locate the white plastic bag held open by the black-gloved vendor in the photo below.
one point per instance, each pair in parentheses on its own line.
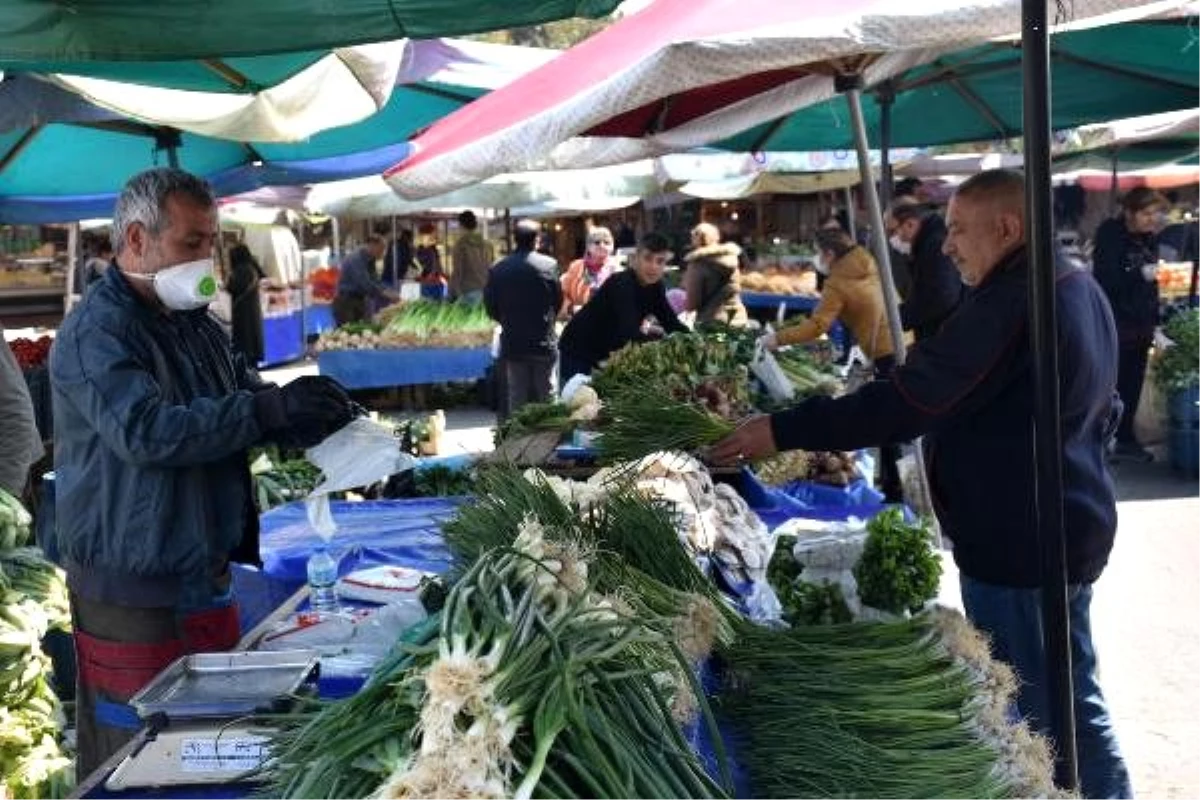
(361,454)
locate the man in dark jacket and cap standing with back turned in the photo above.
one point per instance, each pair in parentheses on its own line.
(524,296)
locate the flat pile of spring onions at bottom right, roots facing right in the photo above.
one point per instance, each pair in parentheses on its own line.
(897,711)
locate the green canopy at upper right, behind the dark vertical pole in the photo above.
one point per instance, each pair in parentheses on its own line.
(975,95)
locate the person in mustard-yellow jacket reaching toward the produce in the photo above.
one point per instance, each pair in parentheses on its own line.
(853,294)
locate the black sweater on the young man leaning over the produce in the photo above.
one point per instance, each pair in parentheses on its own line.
(614,317)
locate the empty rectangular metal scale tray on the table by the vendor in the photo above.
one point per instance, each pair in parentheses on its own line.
(225,684)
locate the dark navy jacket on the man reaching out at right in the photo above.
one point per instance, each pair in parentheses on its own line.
(969,389)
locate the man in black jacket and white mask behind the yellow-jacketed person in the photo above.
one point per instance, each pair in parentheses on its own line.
(937,288)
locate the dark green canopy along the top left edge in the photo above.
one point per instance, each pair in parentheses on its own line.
(176,31)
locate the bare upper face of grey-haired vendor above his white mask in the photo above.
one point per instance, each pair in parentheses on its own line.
(190,236)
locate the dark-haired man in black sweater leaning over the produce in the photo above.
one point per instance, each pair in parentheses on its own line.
(632,306)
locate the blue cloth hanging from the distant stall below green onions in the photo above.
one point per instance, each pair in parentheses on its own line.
(404,368)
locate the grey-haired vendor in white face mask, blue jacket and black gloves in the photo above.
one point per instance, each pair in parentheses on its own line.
(154,416)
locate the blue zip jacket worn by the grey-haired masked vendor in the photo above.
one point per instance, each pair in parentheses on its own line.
(153,419)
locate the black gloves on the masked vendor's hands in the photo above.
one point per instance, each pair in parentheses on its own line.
(305,411)
